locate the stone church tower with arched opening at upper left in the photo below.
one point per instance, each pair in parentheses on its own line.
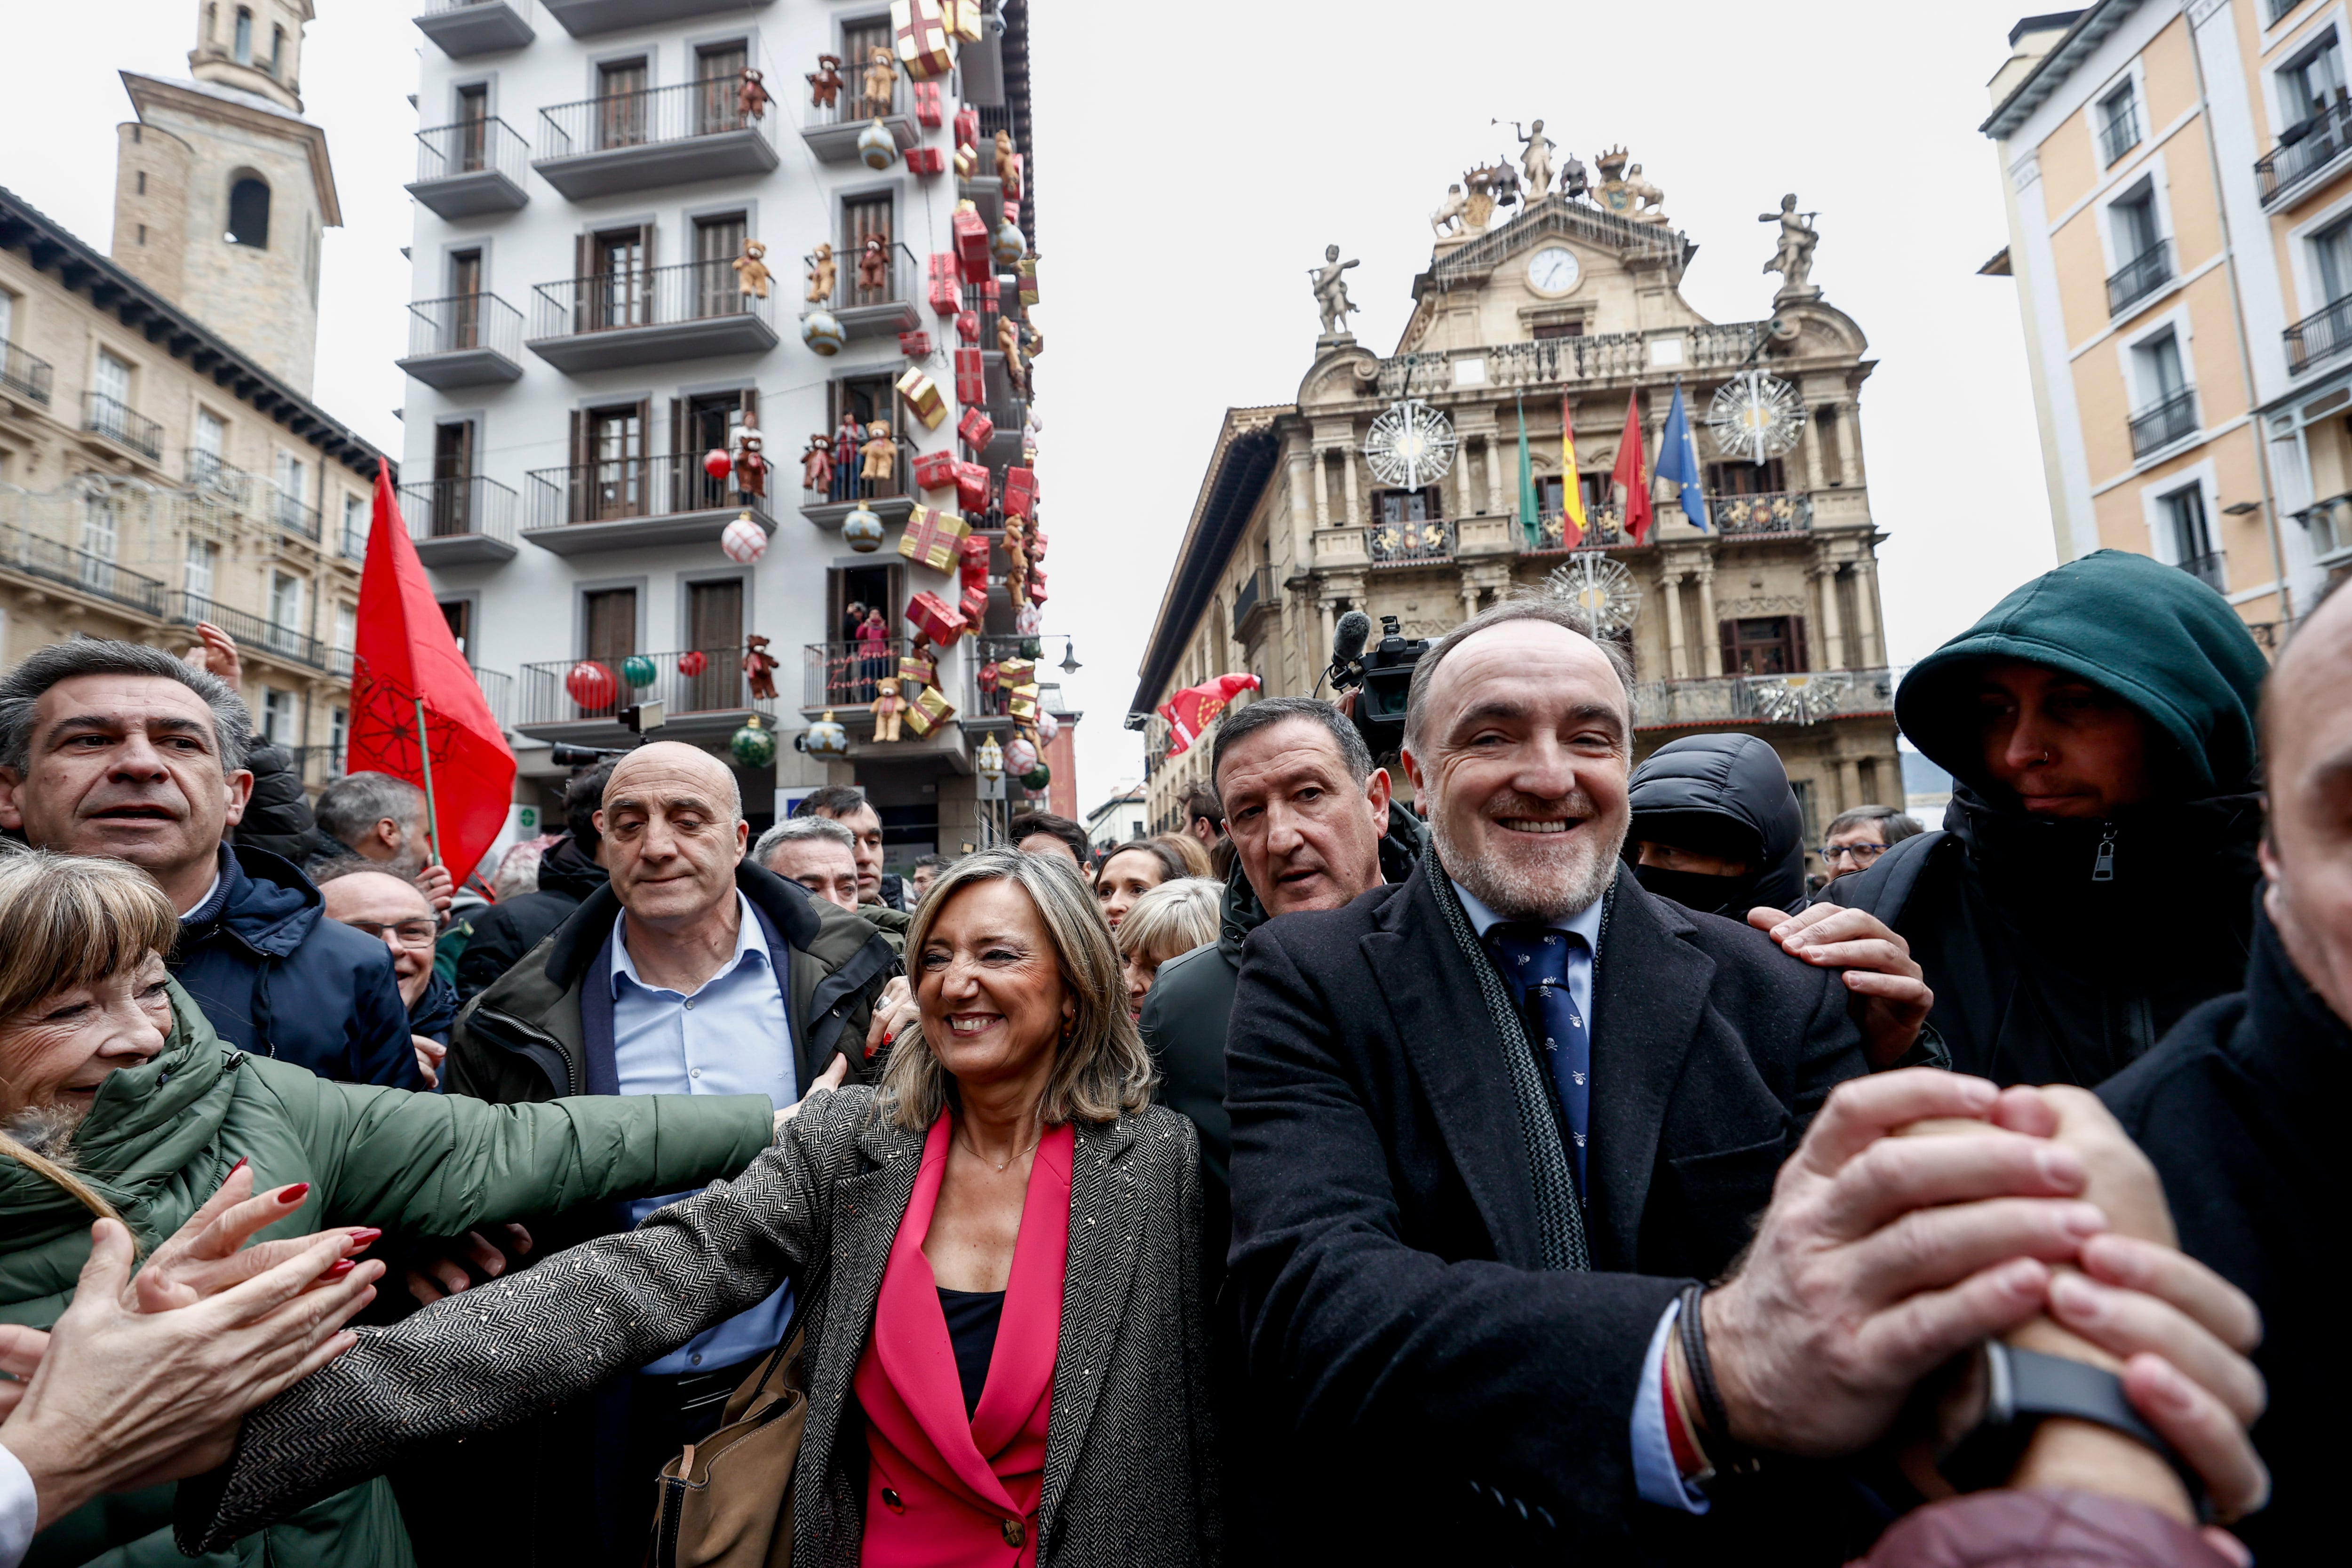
(222,189)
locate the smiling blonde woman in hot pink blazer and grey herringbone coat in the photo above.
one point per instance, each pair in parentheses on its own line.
(996,1266)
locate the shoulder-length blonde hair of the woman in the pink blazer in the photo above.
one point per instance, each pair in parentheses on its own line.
(1102,1068)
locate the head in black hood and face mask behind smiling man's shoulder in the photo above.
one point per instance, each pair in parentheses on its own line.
(1716,826)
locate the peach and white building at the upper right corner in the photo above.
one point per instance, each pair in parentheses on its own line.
(2179,187)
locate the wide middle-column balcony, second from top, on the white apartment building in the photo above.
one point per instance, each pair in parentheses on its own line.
(655,138)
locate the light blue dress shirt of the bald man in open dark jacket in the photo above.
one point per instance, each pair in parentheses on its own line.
(730,1038)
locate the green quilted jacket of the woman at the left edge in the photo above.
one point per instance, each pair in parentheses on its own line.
(415,1165)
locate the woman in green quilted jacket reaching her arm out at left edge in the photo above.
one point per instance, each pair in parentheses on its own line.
(116,1094)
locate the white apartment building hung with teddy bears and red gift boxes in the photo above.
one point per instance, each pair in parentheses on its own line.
(589,175)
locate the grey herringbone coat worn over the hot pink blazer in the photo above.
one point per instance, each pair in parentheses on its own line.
(1130,1470)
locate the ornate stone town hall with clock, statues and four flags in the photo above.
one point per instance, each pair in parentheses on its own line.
(1765,622)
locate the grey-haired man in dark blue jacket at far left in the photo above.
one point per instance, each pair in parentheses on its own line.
(112,749)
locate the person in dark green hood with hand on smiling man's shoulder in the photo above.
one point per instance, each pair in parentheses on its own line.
(2097,869)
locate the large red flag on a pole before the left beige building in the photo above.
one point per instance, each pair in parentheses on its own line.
(417,711)
